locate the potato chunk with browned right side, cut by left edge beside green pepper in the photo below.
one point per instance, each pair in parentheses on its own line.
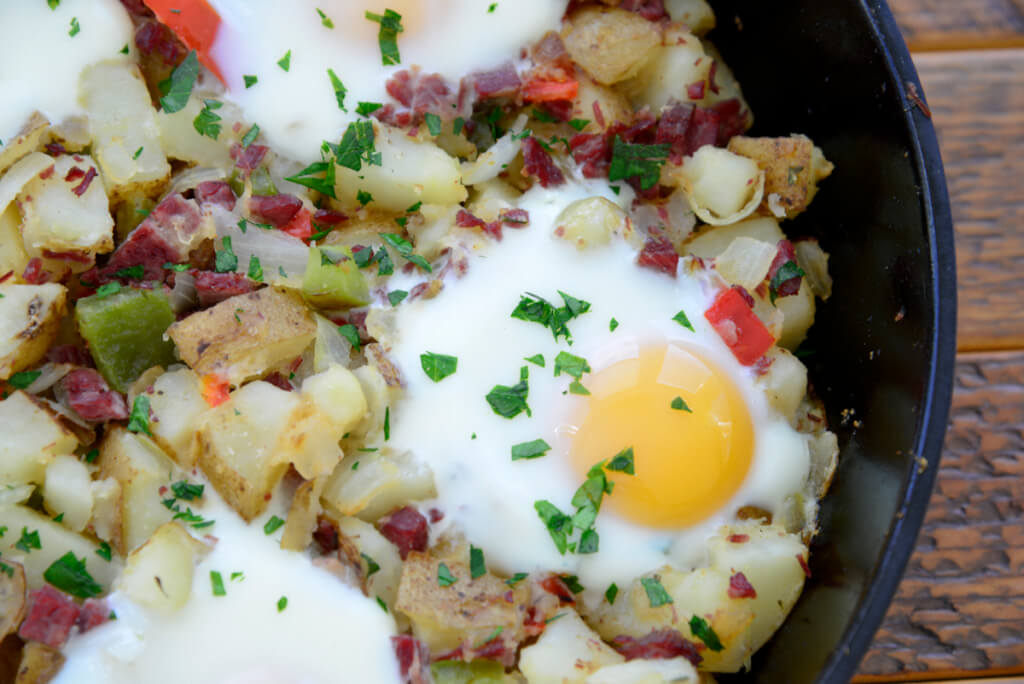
(30,319)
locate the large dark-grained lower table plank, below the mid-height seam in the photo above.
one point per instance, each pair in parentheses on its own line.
(960,610)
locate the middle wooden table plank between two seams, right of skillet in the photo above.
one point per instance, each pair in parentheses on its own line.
(977,101)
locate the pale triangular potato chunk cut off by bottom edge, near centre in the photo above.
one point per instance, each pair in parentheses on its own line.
(567,653)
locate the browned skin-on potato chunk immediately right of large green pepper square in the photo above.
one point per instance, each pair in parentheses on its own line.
(243,337)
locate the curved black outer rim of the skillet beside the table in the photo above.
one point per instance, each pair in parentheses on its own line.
(843,664)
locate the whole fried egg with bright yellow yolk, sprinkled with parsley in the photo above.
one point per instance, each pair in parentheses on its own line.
(695,467)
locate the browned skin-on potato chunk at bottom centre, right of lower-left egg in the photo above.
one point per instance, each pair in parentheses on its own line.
(466,613)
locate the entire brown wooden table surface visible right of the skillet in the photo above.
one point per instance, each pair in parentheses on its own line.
(960,611)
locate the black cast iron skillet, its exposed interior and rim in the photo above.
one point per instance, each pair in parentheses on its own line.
(885,343)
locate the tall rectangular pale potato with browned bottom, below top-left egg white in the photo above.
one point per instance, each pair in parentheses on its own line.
(123,125)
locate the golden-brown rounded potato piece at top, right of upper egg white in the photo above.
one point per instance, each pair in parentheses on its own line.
(611,44)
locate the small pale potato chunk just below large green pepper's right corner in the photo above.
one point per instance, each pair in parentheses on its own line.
(177,406)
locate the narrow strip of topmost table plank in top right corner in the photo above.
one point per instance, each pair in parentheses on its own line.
(949,25)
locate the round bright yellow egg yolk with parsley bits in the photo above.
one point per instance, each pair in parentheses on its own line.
(690,460)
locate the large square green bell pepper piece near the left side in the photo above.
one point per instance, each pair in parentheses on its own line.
(125,333)
